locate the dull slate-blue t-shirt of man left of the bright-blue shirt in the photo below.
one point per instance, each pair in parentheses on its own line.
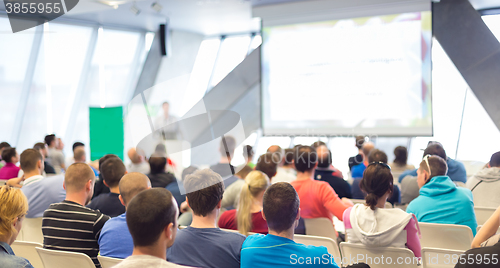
(206,247)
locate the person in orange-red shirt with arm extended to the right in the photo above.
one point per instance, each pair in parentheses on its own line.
(319,200)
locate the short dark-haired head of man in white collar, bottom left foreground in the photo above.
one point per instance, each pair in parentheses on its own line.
(148,213)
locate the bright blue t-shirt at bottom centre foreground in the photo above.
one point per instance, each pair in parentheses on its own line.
(274,251)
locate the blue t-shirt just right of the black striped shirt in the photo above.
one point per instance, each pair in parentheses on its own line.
(115,240)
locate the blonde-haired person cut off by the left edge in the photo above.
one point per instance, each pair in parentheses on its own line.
(13,209)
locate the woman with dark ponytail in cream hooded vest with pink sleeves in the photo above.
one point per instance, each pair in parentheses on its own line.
(374,225)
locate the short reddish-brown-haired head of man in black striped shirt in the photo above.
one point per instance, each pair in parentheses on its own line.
(77,176)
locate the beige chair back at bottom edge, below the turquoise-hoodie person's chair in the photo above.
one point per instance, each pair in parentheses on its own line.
(440,258)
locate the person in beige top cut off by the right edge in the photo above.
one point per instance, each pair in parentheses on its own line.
(485,184)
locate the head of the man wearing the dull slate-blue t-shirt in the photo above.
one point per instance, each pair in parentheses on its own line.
(204,189)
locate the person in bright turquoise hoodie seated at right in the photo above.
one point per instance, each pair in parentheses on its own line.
(440,200)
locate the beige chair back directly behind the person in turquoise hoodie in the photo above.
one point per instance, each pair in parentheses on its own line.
(445,236)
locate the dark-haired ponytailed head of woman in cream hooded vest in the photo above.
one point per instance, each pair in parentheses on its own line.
(376,182)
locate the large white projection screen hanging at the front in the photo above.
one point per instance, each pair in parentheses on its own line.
(359,75)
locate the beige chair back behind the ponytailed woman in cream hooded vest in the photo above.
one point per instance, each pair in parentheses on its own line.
(378,257)
